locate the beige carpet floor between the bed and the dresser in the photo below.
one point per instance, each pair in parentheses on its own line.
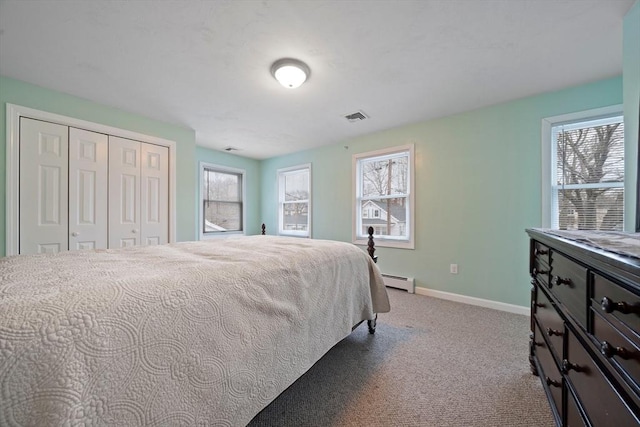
(431,363)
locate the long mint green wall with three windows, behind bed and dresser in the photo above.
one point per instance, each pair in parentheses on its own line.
(478,186)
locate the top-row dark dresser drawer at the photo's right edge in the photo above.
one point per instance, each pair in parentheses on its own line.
(616,302)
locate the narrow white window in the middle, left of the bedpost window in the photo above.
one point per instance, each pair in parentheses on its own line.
(294,195)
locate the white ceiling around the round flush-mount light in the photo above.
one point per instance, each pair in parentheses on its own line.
(205,65)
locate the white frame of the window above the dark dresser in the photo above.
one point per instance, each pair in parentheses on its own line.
(549,189)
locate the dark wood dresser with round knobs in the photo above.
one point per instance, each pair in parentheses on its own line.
(585,330)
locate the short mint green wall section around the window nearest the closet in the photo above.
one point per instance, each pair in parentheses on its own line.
(252,182)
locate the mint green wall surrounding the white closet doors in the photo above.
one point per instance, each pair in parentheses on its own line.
(27,95)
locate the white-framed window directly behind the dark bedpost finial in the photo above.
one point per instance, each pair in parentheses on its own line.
(384,197)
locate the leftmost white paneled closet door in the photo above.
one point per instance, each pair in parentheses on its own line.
(43,187)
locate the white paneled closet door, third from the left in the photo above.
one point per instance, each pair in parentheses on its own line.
(124,192)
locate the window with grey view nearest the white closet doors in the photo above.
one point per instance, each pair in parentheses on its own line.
(222,207)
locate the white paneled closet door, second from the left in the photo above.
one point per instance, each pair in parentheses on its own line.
(87,189)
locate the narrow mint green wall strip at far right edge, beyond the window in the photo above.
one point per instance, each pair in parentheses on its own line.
(631,94)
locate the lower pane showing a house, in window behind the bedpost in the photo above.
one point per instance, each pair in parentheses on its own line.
(388,217)
